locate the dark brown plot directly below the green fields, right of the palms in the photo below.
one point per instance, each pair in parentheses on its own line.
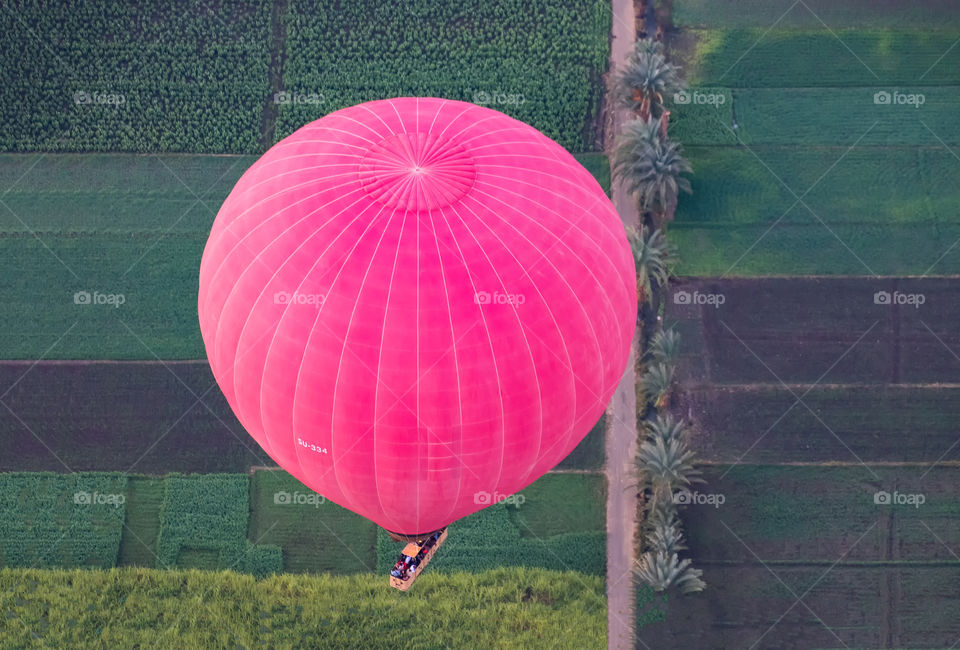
(831,330)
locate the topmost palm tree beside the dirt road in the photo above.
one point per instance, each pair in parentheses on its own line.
(645,79)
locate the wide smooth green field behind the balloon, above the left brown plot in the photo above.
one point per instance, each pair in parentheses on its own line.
(119,225)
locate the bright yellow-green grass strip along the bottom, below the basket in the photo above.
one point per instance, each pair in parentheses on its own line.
(506,608)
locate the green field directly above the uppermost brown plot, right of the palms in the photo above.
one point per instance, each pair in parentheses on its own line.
(741,220)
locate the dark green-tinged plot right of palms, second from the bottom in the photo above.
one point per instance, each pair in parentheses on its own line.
(793,514)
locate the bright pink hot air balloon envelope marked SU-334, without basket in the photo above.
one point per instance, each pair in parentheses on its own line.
(416,305)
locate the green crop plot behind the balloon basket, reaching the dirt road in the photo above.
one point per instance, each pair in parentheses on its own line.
(504,535)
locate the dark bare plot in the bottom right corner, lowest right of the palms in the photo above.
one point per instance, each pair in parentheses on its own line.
(858,607)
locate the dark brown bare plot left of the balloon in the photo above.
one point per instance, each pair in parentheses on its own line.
(132,417)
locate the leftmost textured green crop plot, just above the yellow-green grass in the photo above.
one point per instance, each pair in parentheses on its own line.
(61,520)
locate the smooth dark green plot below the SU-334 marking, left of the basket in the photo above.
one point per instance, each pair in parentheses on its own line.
(315,535)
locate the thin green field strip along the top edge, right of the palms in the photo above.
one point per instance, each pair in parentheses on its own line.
(816,13)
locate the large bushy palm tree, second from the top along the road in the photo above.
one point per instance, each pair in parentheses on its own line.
(653,171)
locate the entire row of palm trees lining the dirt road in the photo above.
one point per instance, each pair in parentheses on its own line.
(652,167)
